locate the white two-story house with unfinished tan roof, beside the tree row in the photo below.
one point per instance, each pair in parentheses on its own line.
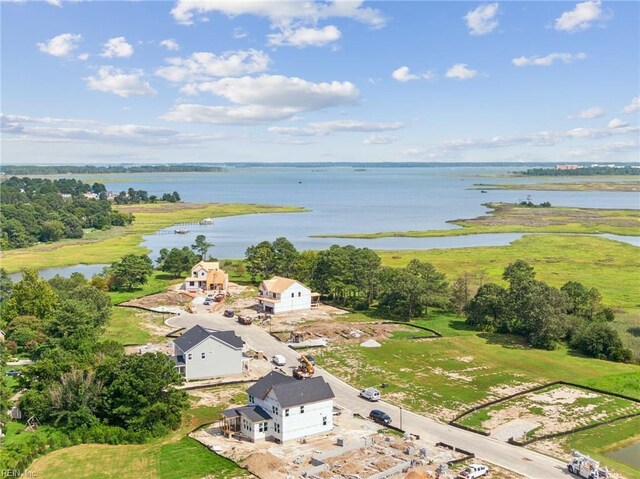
(283,295)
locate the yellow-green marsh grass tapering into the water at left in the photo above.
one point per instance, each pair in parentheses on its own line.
(109,246)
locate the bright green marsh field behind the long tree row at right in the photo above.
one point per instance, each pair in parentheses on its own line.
(608,265)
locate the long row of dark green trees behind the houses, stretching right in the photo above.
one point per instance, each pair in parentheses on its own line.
(354,277)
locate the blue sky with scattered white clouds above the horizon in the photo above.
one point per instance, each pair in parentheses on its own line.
(224,81)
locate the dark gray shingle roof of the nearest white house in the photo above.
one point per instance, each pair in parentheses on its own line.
(290,391)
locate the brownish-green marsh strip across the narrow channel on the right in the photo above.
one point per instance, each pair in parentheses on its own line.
(510,218)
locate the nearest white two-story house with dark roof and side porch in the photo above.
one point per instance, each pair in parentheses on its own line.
(282,408)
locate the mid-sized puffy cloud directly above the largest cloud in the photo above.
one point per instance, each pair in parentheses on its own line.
(204,65)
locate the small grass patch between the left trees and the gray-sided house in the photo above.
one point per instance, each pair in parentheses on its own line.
(127,326)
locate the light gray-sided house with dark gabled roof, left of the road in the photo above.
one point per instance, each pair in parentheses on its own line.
(202,353)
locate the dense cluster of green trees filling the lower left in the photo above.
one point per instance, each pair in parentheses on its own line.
(83,387)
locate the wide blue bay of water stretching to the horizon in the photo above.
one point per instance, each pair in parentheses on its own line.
(349,200)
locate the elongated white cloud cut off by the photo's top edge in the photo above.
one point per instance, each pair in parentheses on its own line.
(280,13)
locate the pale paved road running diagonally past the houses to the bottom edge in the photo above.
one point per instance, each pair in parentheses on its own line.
(522,461)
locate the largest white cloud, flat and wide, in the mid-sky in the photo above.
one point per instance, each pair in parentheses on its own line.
(262,99)
